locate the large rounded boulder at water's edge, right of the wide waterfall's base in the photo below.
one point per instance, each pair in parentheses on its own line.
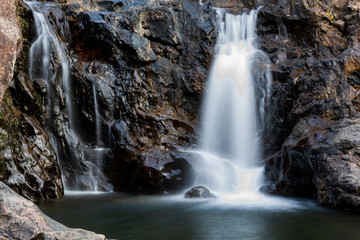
(320,158)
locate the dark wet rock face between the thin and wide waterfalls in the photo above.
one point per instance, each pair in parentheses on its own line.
(149,65)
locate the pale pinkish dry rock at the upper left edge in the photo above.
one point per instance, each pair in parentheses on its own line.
(10,43)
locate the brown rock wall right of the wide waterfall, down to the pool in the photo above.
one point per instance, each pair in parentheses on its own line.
(311,148)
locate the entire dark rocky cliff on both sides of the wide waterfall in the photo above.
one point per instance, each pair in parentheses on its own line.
(138,71)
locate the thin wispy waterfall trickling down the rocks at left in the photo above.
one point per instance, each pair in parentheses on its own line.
(48,47)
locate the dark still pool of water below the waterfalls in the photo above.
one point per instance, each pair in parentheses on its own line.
(120,216)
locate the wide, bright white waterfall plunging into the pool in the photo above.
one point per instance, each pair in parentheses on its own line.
(233,114)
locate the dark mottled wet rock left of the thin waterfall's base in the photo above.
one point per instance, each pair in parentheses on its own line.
(28,163)
